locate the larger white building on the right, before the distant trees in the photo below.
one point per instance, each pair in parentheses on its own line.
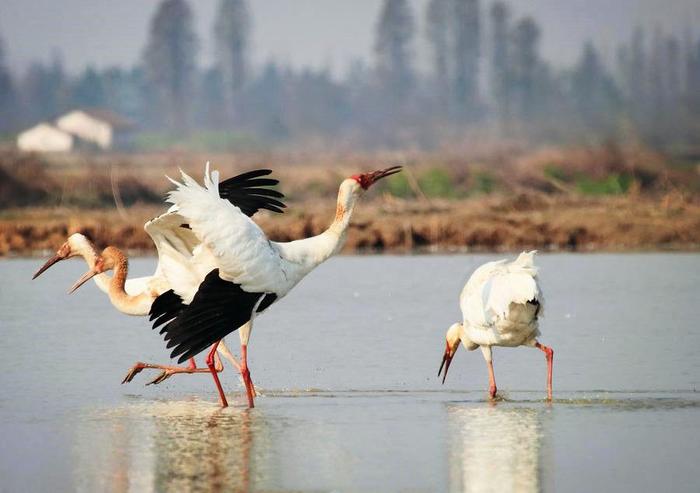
(100,127)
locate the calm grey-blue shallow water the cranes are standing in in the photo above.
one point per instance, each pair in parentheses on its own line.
(347,367)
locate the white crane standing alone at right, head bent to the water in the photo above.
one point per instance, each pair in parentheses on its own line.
(500,303)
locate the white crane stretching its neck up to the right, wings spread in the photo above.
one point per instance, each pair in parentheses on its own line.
(237,272)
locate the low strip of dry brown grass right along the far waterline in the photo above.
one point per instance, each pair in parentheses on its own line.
(483,224)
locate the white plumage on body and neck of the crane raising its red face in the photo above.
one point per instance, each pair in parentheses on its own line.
(233,243)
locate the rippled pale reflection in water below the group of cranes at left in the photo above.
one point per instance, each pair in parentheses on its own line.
(177,446)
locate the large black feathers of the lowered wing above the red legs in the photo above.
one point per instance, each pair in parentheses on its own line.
(219,307)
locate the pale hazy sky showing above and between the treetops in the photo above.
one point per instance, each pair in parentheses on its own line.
(315,32)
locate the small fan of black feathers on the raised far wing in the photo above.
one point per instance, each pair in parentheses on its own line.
(246,191)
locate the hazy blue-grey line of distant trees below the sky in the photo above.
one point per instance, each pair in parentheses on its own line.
(487,77)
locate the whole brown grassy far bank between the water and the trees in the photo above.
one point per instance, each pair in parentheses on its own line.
(529,209)
